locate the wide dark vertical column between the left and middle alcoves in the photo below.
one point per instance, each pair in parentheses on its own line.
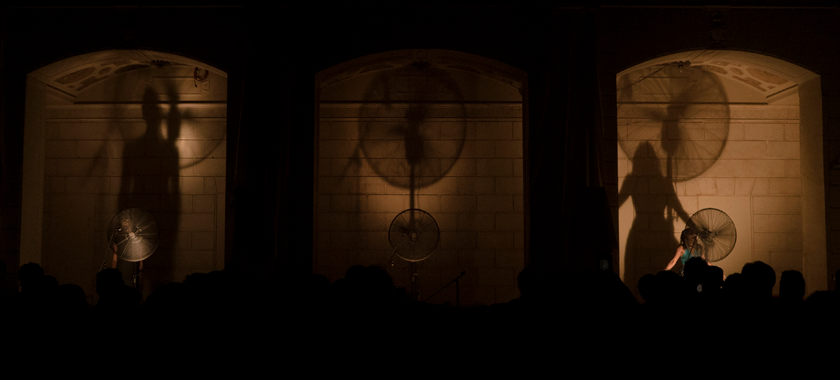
(271,169)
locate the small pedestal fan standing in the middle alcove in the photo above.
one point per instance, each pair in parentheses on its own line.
(414,234)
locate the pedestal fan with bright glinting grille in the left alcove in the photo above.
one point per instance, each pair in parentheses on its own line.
(132,237)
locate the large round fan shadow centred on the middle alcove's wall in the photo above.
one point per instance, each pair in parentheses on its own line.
(413,126)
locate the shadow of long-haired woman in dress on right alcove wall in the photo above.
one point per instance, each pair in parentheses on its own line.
(651,241)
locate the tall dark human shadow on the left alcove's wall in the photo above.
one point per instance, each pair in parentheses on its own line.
(151,181)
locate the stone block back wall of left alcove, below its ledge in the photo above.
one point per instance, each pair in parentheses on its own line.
(102,158)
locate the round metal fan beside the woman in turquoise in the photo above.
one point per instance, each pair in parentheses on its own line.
(715,233)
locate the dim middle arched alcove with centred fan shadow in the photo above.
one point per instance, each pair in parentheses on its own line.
(434,130)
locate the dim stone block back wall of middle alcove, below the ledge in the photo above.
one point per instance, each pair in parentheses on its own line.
(477,202)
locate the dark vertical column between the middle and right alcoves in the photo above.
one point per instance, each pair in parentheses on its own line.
(567,217)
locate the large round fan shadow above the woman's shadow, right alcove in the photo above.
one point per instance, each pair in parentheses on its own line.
(681,111)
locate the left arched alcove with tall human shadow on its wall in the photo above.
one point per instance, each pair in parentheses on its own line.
(119,129)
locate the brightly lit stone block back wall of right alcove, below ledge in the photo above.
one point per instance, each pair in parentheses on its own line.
(756,180)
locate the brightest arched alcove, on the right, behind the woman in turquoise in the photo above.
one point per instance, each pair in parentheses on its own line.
(732,130)
